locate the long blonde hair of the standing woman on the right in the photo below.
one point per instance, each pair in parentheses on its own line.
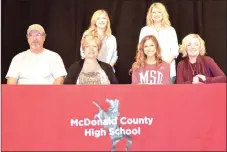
(162,8)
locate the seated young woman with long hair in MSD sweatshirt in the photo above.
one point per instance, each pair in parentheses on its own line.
(149,68)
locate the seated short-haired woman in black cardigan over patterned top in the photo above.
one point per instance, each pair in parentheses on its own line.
(90,70)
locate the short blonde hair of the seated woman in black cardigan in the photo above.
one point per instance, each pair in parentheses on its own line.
(86,39)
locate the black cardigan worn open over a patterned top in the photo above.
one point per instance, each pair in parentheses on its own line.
(76,67)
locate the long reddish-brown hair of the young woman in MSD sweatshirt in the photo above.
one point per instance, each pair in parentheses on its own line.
(141,56)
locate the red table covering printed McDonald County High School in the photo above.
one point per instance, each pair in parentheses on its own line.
(142,117)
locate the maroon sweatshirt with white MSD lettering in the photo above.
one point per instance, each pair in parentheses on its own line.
(152,74)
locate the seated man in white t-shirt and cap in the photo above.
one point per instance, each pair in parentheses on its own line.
(37,65)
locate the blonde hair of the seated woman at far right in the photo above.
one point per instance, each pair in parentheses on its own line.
(186,40)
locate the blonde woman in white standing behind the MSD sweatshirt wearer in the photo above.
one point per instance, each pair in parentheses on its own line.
(158,24)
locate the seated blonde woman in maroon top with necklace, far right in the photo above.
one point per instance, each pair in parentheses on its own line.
(197,68)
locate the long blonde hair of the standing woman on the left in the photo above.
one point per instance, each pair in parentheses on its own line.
(92,29)
